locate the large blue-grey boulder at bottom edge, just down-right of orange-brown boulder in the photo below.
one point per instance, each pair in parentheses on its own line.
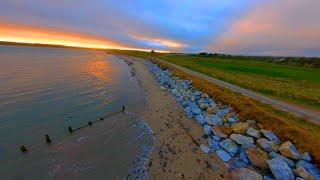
(280,169)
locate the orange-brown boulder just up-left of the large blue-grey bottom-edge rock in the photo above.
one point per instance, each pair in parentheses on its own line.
(257,157)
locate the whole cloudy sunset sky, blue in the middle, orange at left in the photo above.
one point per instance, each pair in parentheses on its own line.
(247,27)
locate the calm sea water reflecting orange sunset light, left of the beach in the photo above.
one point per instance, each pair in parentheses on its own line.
(45,90)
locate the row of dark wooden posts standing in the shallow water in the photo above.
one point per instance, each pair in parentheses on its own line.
(48,140)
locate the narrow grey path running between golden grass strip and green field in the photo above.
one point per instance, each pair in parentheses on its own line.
(312,115)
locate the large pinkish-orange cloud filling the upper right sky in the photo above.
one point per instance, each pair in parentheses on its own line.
(274,27)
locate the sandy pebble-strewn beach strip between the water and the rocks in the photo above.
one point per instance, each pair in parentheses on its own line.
(176,154)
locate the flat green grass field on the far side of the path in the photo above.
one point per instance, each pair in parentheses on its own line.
(291,83)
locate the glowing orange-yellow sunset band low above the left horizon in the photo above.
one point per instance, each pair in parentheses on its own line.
(28,34)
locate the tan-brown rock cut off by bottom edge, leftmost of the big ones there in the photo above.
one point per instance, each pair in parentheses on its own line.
(245,174)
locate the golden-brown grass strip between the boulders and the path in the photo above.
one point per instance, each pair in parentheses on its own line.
(305,135)
